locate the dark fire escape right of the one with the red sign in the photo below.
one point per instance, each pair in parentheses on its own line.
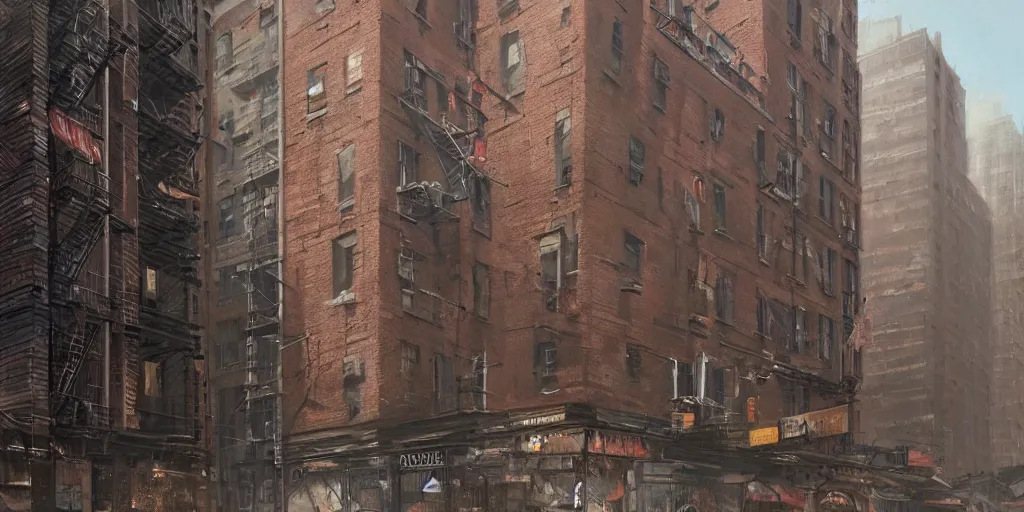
(168,142)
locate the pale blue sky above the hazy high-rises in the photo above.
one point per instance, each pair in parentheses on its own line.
(983,39)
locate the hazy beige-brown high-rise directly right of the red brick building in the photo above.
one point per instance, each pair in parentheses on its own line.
(927,259)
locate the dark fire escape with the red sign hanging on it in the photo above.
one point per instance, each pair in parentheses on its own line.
(82,44)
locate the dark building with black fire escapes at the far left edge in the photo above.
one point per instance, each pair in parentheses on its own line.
(102,380)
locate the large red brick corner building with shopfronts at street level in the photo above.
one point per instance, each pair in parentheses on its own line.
(575,216)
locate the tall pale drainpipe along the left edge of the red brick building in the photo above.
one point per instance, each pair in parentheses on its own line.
(279,462)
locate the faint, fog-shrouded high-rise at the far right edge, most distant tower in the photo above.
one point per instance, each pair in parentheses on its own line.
(998,170)
